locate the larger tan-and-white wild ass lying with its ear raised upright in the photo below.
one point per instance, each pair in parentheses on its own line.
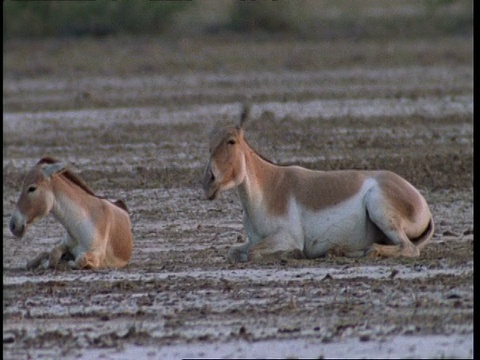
(296,212)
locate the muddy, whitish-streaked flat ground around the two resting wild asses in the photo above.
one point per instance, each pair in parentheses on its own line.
(136,129)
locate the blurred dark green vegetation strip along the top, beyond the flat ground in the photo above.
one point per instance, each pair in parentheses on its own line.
(306,19)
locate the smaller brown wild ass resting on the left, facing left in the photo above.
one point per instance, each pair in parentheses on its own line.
(98,231)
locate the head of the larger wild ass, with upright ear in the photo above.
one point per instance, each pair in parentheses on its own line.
(226,165)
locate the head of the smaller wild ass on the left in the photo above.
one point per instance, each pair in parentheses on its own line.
(36,197)
